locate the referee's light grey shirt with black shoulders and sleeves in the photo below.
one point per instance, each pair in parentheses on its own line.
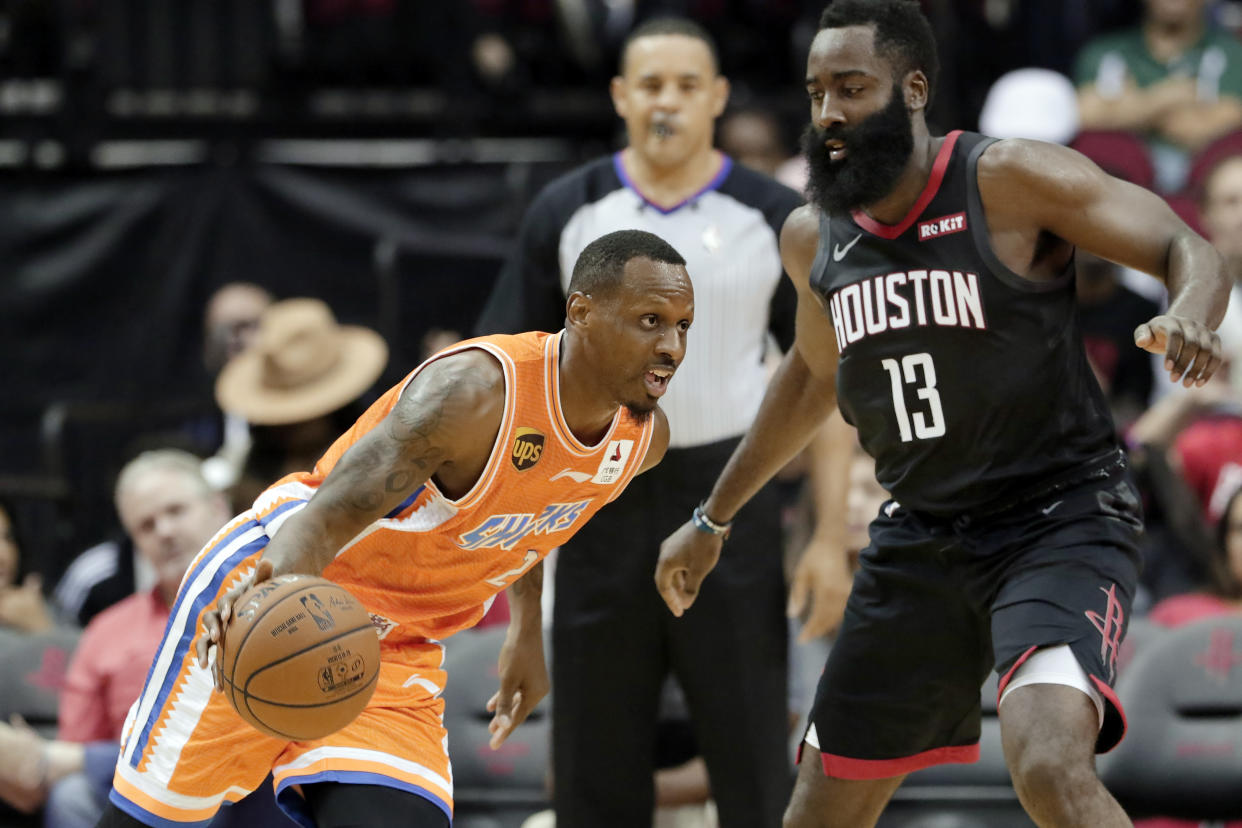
(728,234)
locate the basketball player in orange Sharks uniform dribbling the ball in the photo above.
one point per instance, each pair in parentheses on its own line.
(454,486)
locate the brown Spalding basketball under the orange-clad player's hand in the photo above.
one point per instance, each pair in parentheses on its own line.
(300,659)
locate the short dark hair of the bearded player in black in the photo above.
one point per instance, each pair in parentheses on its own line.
(904,35)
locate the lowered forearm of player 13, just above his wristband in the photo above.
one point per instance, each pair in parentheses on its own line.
(793,410)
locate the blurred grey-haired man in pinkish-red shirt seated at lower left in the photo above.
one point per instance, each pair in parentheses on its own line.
(170,512)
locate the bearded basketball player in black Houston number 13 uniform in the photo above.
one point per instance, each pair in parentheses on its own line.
(937,308)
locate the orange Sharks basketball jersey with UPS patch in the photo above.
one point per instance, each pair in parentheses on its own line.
(432,568)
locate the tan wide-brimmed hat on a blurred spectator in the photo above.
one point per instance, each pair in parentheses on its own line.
(302,366)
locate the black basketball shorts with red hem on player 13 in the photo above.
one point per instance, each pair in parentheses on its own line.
(941,601)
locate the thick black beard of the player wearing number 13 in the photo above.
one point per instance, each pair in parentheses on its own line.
(876,155)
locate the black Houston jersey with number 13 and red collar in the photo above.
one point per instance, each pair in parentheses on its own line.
(968,384)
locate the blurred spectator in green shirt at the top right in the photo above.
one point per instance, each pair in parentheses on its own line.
(1176,79)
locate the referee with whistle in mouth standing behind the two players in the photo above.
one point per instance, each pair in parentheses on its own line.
(614,642)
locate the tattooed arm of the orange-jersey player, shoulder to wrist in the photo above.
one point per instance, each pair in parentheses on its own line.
(445,425)
